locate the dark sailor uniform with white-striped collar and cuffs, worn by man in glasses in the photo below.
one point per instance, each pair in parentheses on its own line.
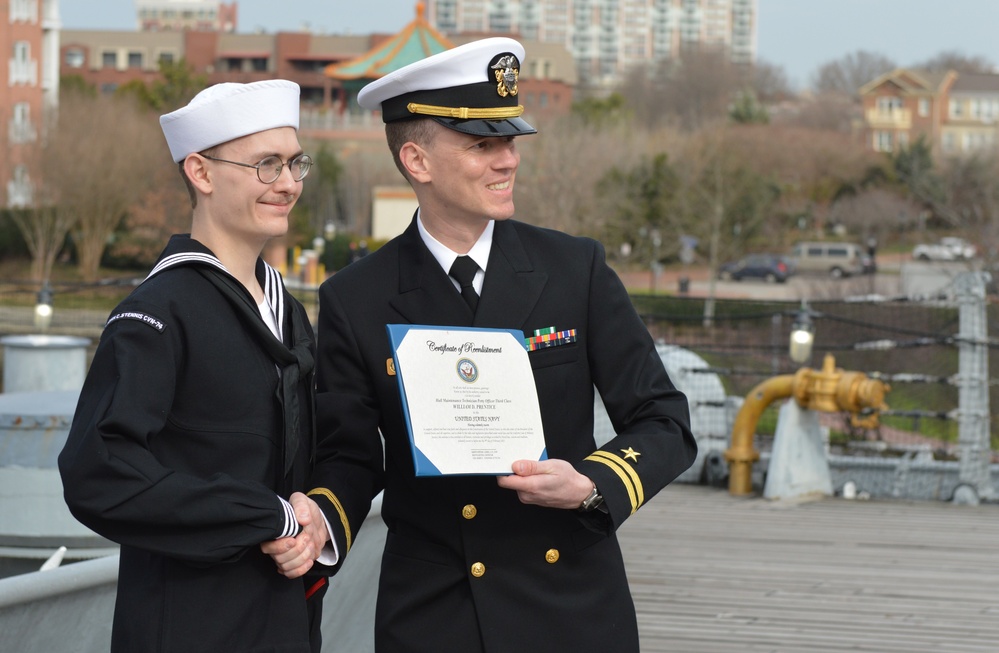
(184,437)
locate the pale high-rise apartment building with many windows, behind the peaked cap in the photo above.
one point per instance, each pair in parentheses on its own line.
(607,37)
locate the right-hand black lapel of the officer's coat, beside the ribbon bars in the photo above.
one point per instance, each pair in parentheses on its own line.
(512,286)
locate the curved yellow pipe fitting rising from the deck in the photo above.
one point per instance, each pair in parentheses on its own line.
(827,390)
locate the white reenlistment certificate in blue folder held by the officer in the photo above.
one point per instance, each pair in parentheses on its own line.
(469,398)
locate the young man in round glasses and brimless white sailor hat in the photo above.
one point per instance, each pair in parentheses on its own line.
(192,441)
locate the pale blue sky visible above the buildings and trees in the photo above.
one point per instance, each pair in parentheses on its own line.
(796,35)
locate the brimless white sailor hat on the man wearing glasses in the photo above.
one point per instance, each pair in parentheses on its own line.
(227,111)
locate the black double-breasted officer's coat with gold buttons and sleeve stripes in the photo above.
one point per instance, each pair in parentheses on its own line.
(467,567)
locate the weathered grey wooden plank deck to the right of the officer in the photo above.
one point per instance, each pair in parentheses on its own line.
(712,573)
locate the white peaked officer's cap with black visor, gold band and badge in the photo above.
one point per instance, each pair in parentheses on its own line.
(472,88)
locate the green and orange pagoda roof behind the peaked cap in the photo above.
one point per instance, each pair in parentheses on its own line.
(417,40)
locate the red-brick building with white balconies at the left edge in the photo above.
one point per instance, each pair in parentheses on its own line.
(29,87)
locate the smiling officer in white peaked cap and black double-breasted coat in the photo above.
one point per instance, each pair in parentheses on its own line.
(528,561)
